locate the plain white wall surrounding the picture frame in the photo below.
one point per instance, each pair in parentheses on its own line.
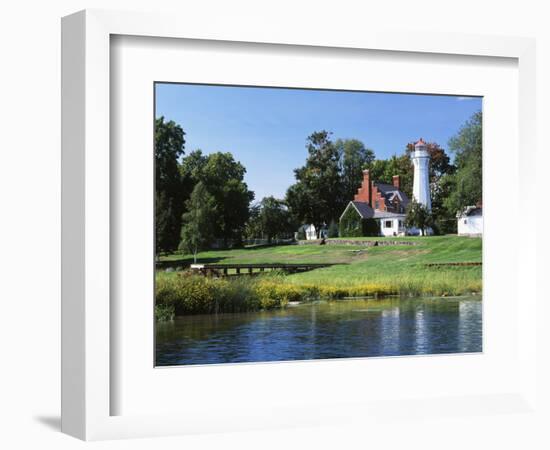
(30,187)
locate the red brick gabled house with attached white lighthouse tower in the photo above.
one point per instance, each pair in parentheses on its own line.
(386,203)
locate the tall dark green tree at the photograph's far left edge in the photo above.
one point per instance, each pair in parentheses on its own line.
(169,190)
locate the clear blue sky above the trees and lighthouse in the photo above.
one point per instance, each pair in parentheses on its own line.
(266,128)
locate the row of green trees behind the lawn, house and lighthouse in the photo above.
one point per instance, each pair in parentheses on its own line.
(199,198)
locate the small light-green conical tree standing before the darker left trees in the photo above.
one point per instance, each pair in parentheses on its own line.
(197,231)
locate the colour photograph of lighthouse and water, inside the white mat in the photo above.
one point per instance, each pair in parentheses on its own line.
(305,224)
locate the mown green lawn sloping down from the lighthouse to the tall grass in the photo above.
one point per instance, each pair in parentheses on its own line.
(399,266)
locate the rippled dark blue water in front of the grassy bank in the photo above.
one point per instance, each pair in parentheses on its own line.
(341,329)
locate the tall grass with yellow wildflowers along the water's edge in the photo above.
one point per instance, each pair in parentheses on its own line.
(194,294)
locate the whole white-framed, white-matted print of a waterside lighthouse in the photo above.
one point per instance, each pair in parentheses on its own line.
(248,213)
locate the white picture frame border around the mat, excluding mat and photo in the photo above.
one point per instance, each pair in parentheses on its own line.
(87,326)
